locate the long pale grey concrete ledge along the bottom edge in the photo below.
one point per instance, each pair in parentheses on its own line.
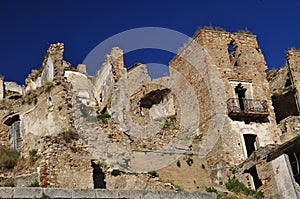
(28,192)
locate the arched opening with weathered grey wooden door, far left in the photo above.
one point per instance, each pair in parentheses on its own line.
(14,131)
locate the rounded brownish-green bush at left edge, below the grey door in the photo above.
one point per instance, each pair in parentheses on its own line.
(8,157)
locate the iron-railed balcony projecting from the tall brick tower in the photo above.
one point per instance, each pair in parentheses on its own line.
(247,108)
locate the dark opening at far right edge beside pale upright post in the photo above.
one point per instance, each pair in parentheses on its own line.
(294,157)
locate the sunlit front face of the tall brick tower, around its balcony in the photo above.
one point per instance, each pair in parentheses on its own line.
(248,69)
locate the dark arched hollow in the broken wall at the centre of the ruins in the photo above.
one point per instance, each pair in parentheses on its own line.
(154,97)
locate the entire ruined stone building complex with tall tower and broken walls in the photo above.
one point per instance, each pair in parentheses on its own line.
(216,115)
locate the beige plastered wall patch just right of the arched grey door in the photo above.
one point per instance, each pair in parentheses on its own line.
(49,116)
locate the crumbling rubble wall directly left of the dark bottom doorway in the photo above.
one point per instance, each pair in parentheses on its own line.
(65,163)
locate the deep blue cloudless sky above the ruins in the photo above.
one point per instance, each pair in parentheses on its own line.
(28,27)
